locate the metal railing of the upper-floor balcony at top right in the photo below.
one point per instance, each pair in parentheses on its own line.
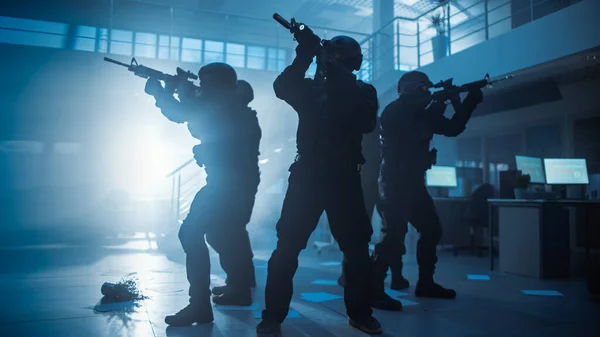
(407,43)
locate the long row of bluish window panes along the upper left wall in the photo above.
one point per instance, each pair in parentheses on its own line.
(140,44)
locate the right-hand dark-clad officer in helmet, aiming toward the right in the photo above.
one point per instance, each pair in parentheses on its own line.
(407,127)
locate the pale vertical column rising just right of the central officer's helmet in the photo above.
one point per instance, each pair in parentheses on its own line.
(382,55)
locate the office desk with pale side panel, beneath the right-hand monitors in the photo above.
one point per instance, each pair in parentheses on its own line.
(536,237)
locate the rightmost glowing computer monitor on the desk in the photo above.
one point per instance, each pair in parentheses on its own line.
(566,171)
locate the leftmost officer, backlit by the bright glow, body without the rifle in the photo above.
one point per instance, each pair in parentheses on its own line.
(218,115)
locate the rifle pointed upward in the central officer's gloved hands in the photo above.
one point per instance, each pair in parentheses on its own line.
(326,50)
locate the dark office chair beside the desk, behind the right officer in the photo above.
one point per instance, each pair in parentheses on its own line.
(476,217)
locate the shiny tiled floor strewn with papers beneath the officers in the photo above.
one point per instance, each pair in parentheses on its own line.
(53,291)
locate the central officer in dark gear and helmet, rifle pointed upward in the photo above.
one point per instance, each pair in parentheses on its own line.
(334,111)
